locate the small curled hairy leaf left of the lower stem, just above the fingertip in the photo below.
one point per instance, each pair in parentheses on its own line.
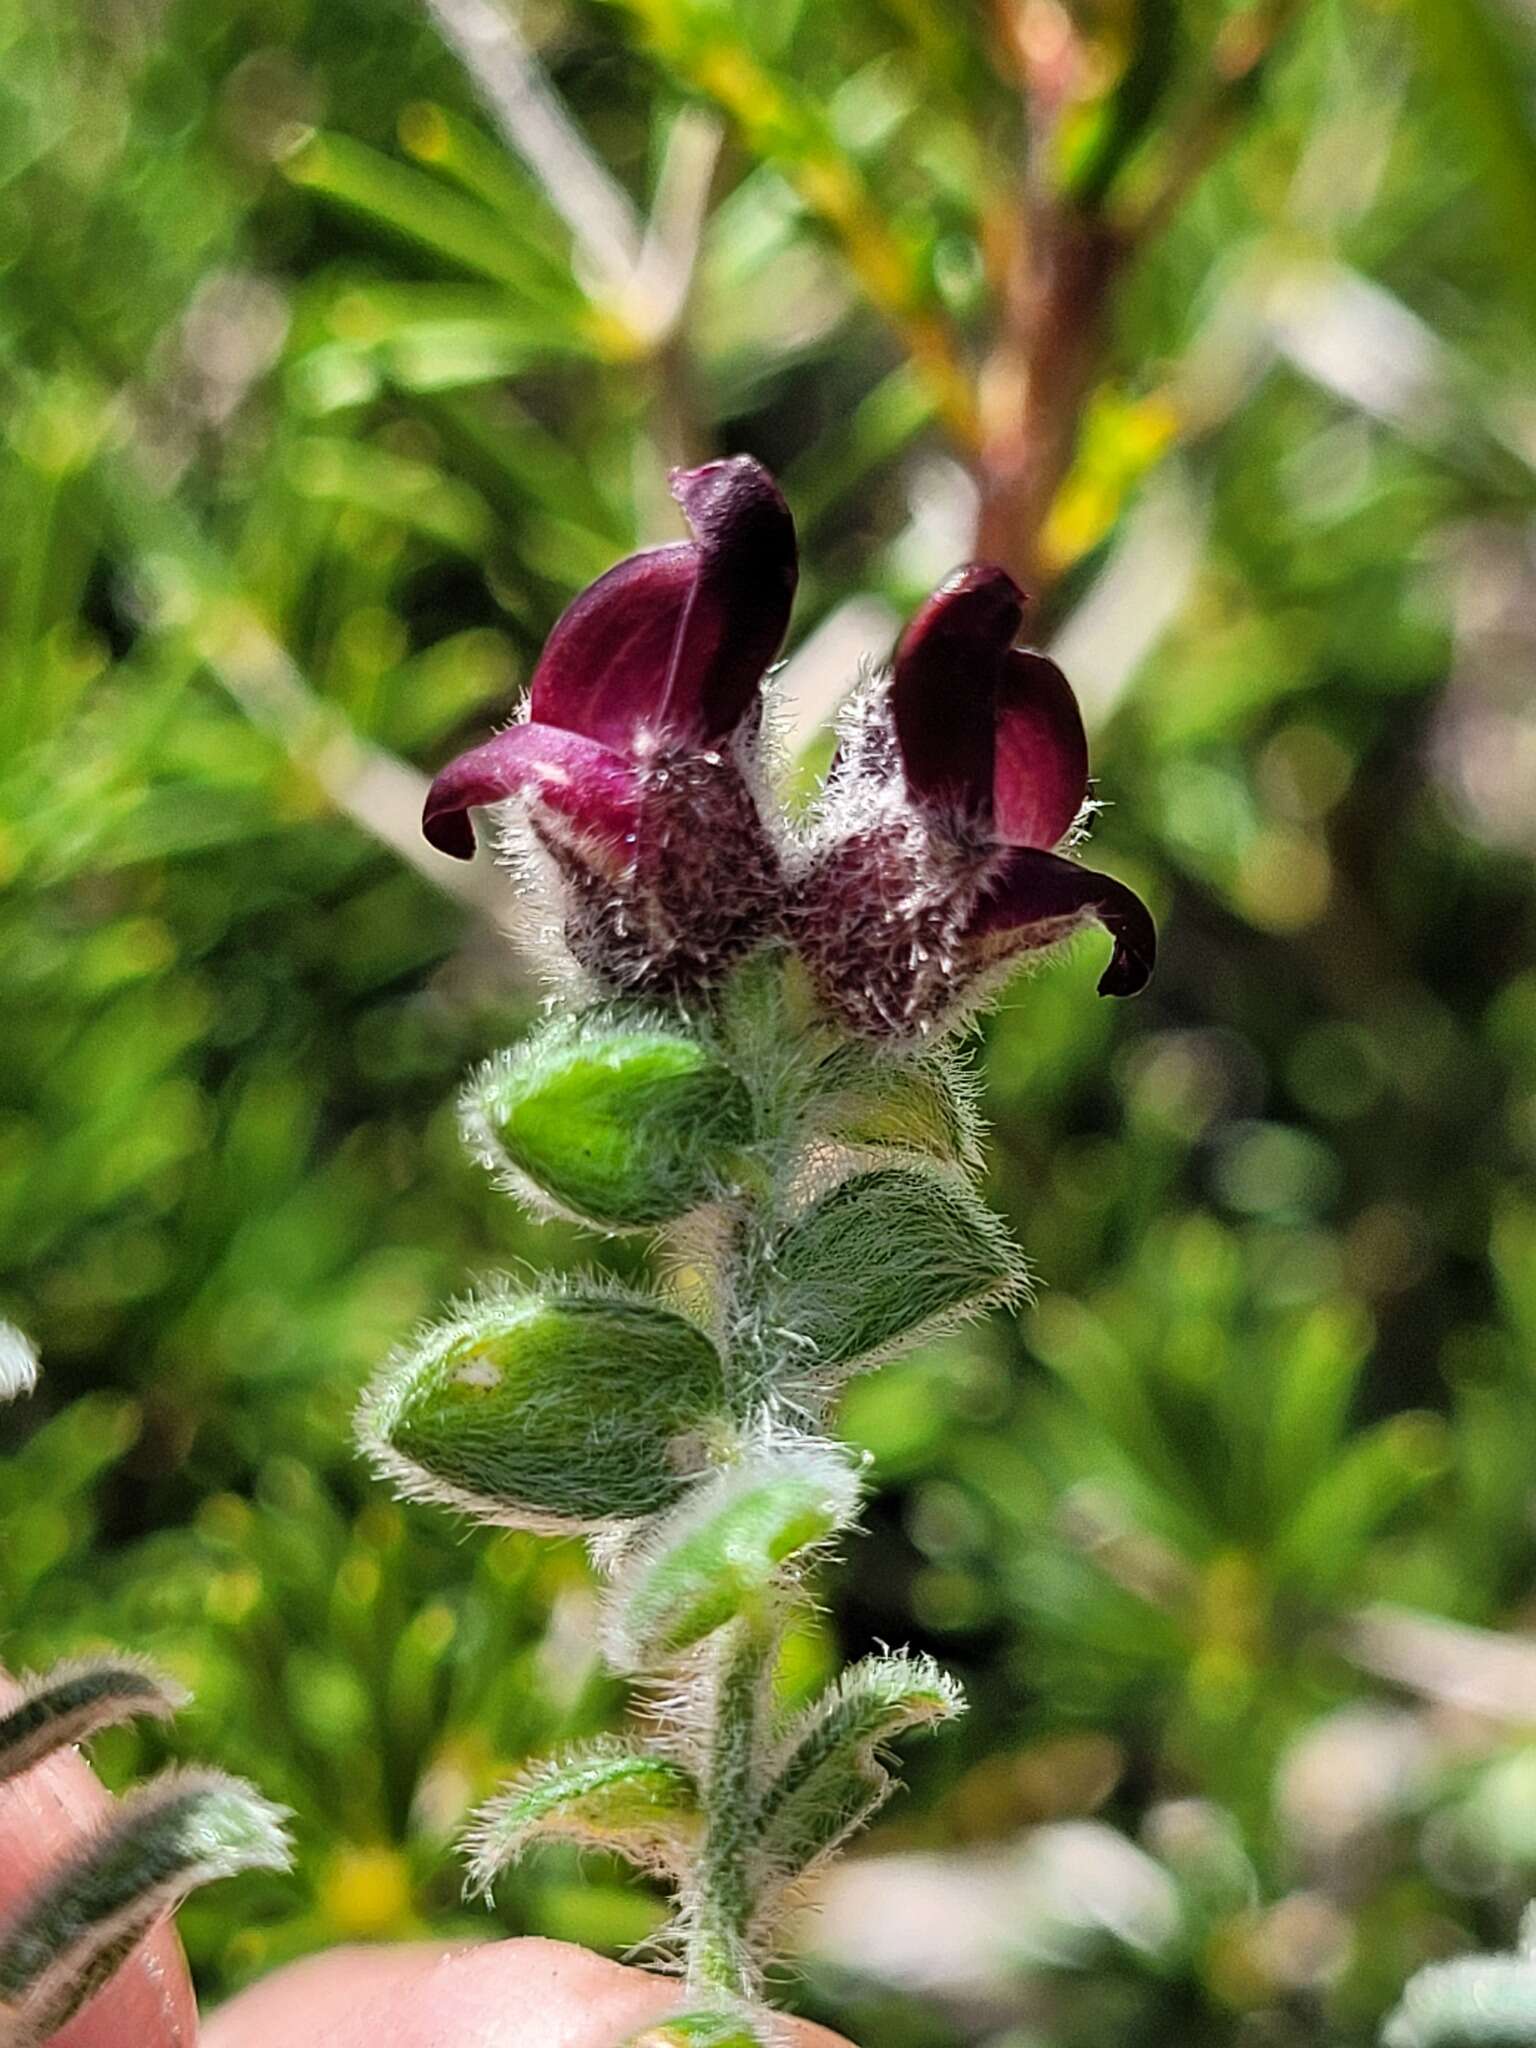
(605,1795)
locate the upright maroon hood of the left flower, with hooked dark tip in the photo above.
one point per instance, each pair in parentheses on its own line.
(675,642)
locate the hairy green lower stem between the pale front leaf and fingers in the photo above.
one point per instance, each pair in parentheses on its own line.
(724,1893)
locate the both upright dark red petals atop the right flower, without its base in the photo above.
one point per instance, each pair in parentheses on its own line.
(988,734)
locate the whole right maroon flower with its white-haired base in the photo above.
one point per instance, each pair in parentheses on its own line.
(937,865)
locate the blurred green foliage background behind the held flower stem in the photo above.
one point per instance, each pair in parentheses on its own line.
(318,404)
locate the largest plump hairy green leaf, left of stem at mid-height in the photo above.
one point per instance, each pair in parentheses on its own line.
(554,1410)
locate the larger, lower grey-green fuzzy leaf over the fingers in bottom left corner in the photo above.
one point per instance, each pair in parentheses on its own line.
(73,1932)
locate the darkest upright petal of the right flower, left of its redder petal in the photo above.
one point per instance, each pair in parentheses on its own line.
(945,687)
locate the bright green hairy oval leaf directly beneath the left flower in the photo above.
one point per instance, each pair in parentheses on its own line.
(609,1121)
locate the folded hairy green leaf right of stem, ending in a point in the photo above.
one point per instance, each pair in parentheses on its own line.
(884,1258)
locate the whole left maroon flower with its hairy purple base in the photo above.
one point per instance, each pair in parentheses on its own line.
(636,761)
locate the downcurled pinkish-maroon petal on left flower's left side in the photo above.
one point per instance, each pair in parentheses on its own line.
(585,785)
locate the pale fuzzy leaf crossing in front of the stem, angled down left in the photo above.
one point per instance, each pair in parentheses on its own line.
(724,1549)
